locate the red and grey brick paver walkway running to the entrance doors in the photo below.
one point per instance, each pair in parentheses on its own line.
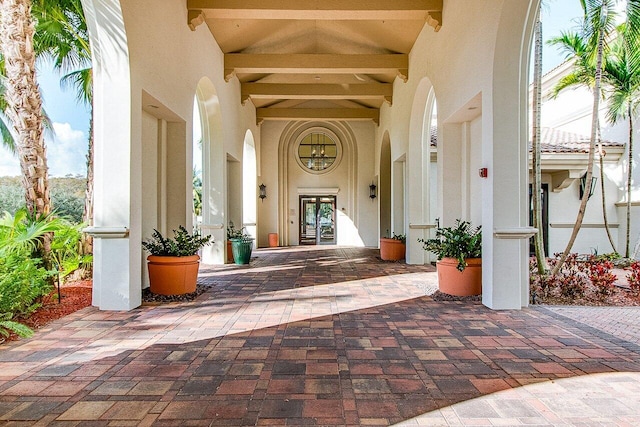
(320,336)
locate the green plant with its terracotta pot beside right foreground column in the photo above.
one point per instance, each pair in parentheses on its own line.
(459,252)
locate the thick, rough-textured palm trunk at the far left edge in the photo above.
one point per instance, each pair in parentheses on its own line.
(24,103)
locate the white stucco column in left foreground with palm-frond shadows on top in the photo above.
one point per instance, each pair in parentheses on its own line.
(117,250)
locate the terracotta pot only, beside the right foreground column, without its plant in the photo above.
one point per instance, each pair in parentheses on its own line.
(460,283)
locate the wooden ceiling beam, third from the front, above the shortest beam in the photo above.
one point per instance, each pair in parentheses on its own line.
(317,91)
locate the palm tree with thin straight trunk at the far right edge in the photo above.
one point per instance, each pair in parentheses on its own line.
(623,79)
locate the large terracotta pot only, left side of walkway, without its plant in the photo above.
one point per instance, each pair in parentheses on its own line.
(172,275)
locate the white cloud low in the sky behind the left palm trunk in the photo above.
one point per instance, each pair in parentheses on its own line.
(66,153)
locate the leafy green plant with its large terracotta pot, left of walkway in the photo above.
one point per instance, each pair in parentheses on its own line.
(173,262)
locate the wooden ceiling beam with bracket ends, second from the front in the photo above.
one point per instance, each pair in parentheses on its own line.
(315,64)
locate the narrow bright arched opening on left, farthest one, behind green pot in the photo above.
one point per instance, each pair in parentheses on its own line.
(249,186)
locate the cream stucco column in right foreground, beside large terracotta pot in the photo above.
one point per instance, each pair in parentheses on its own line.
(505,273)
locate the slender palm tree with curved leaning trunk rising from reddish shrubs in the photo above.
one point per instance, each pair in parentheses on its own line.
(599,22)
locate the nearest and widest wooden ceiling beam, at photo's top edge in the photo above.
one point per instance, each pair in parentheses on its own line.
(317,9)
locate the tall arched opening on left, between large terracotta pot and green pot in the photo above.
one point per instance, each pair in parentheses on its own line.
(207,109)
